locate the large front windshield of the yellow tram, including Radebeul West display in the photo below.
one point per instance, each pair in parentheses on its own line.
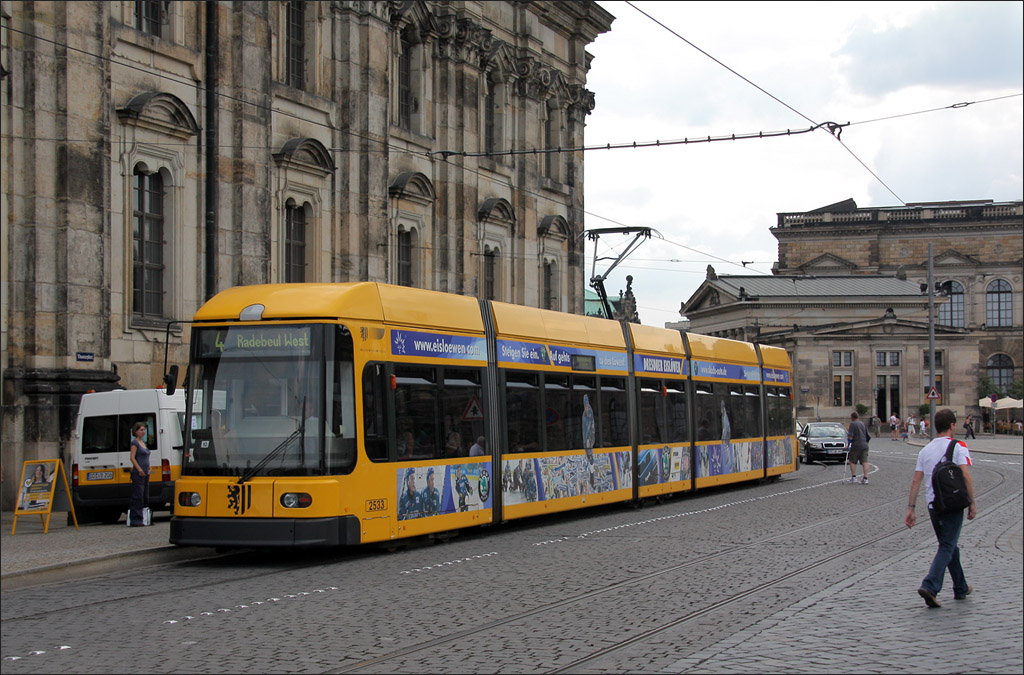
(271,401)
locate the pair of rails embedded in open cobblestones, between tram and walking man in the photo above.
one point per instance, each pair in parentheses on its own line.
(484,629)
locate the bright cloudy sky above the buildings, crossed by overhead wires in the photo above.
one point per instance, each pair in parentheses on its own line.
(850,62)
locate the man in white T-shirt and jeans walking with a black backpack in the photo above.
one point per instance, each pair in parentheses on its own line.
(947,525)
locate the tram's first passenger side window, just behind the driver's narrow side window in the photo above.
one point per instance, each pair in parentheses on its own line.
(416,410)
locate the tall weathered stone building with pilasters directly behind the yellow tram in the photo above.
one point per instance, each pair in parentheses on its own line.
(155,153)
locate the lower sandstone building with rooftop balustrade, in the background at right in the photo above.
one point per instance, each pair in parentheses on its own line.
(849,301)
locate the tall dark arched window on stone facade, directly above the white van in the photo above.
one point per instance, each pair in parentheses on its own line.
(148,243)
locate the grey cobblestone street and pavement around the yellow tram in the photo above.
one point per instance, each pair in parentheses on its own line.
(540,598)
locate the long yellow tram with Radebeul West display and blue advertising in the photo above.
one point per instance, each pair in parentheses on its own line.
(343,414)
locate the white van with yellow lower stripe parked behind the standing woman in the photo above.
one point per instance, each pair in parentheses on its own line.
(102,455)
